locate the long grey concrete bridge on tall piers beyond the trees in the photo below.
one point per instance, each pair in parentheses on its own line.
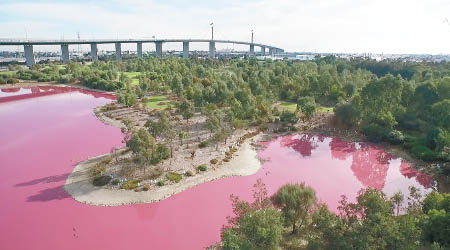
(30,60)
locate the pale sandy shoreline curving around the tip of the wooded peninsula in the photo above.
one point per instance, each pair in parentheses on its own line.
(79,184)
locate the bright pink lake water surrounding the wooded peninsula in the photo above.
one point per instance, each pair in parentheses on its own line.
(43,134)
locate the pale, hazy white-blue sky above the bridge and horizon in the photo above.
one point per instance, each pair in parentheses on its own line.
(383,26)
